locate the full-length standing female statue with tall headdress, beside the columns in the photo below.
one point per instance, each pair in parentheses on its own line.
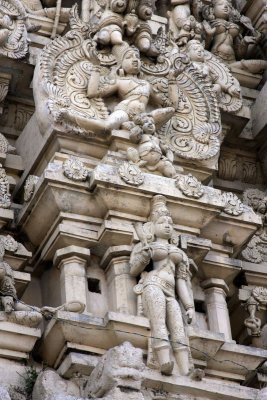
(162,286)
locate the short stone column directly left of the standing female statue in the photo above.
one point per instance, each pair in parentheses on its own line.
(120,284)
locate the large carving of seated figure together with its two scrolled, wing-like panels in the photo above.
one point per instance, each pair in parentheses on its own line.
(78,101)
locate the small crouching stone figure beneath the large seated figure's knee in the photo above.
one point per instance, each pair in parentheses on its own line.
(150,154)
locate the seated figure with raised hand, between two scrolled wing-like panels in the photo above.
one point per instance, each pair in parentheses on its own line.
(133,91)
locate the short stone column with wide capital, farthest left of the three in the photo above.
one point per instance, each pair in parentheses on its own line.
(72,262)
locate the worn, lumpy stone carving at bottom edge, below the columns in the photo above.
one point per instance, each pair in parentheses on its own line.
(118,375)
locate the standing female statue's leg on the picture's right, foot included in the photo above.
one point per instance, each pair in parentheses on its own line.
(179,340)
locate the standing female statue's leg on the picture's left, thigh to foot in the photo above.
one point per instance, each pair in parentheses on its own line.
(154,303)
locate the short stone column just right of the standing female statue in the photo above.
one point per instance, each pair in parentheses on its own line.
(217,311)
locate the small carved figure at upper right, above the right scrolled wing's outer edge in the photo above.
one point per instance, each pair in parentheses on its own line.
(196,53)
